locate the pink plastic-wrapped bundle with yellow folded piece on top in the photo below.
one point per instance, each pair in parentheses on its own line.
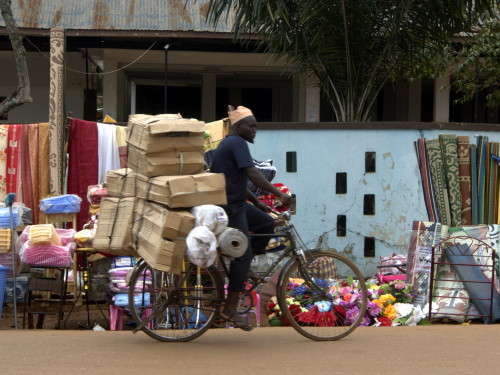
(45,245)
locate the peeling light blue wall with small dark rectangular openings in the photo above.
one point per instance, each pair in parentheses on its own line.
(396,185)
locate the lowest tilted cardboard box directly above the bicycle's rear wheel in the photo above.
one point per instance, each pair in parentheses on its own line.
(159,253)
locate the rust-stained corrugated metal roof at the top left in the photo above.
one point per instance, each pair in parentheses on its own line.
(171,15)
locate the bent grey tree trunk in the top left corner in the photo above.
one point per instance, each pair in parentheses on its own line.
(22,94)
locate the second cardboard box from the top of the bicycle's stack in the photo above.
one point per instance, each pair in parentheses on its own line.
(167,163)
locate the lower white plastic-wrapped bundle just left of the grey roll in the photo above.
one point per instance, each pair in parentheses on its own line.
(201,247)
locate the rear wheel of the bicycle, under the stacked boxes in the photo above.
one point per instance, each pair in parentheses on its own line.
(175,307)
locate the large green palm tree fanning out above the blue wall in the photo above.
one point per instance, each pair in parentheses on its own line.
(351,47)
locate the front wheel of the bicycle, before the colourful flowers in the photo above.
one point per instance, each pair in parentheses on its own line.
(313,298)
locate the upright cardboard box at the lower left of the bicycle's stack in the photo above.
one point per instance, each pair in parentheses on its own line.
(114,227)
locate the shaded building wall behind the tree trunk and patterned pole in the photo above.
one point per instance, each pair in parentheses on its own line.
(39,75)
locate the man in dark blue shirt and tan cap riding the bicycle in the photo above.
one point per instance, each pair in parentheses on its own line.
(232,157)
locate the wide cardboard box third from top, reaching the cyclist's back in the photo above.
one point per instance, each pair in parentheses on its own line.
(183,191)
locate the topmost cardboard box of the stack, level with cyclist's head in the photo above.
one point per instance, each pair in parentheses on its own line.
(161,133)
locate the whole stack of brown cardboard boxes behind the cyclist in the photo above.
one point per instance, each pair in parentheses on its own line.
(148,212)
